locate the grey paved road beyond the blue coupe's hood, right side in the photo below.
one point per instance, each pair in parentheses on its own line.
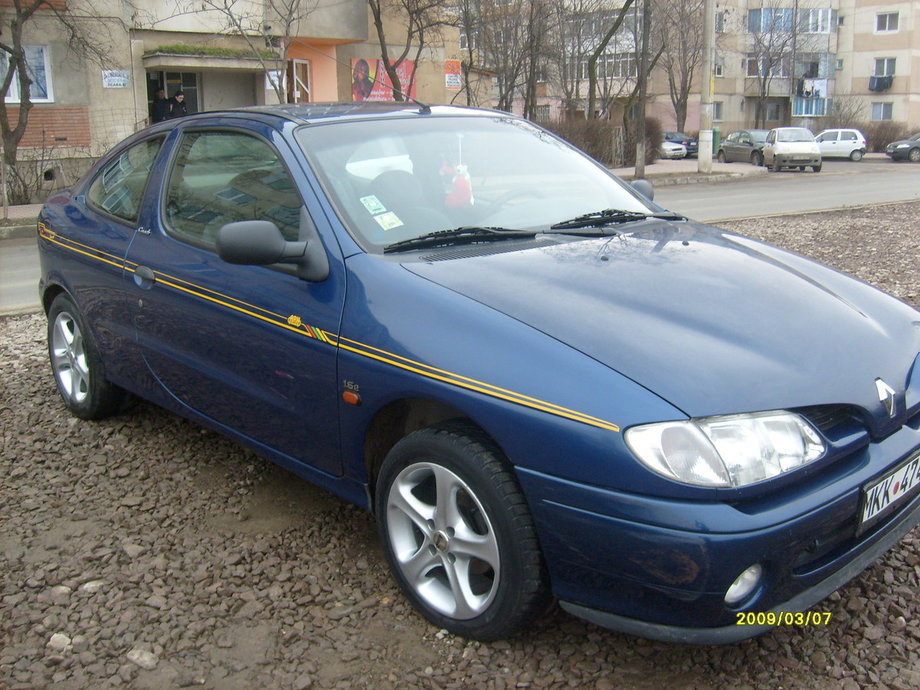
(839,184)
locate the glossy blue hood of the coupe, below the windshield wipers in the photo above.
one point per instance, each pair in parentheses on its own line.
(712,322)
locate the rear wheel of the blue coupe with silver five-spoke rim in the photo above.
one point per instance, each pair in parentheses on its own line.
(77,368)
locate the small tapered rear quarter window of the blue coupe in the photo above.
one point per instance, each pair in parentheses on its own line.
(119,187)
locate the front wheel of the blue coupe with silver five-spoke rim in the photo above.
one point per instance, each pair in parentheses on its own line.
(457,533)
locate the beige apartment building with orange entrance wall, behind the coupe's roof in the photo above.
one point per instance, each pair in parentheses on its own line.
(80,108)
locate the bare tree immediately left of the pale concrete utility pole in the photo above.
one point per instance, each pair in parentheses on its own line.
(678,28)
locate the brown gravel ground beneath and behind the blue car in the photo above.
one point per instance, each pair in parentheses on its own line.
(146,552)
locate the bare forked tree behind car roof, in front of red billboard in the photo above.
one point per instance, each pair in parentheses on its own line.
(422,21)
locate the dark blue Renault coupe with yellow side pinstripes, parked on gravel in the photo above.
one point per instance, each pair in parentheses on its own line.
(543,384)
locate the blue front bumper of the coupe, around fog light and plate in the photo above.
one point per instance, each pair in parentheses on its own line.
(660,568)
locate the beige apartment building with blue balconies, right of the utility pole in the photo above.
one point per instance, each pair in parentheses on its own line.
(780,62)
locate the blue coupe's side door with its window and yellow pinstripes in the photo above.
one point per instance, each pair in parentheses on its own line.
(244,346)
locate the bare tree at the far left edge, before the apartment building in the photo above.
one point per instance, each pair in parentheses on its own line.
(86,38)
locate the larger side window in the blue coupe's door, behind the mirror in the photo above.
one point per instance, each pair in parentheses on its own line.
(224,177)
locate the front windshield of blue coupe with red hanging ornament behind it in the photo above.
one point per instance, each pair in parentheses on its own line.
(397,179)
